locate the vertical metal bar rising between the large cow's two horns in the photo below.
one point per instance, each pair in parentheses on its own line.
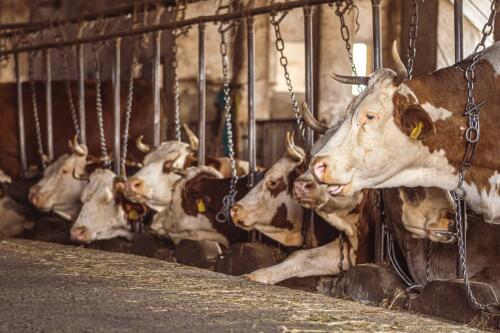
(377,63)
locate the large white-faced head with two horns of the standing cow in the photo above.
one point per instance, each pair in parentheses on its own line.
(380,142)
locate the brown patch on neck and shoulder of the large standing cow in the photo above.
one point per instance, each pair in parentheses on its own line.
(446,88)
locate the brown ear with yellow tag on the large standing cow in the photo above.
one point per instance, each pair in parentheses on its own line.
(415,122)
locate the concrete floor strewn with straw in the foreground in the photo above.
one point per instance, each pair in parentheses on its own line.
(52,288)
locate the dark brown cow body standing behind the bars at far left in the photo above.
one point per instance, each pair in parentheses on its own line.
(141,120)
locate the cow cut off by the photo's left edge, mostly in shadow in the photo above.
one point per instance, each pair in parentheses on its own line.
(12,220)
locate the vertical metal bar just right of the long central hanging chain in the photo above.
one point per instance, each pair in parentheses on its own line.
(252,138)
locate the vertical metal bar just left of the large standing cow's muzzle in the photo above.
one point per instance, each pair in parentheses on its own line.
(309,95)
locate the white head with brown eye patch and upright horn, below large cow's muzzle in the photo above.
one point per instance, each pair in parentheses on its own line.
(269,207)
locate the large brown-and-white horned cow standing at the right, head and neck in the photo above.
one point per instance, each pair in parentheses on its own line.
(411,133)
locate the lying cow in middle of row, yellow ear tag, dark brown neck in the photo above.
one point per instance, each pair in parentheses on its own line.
(197,197)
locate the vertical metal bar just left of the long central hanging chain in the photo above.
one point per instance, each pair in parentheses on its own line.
(202,93)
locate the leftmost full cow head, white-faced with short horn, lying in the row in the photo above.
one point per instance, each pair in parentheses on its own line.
(62,184)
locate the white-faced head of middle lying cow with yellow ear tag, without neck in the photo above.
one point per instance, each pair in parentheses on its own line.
(186,216)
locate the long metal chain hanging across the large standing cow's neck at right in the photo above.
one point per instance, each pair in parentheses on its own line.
(472,135)
